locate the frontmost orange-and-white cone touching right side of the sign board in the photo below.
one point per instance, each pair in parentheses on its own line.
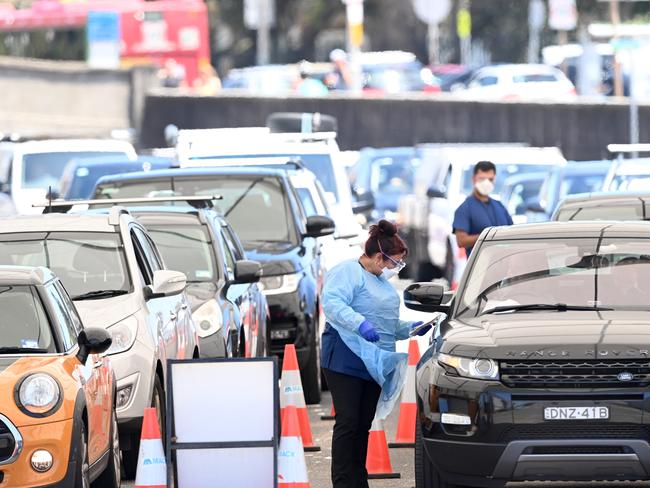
(292,469)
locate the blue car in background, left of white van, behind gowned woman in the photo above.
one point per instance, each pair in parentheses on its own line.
(380,178)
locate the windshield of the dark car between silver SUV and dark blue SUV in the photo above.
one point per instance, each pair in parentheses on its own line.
(186,248)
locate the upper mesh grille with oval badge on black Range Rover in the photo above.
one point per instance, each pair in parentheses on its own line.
(575,374)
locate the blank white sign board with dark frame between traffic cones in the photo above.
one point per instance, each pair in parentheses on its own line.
(223,420)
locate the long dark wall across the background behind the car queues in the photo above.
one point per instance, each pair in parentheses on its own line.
(582,130)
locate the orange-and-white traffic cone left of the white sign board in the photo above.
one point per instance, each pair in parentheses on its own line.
(152,466)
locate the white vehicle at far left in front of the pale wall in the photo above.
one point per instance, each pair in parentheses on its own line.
(37,166)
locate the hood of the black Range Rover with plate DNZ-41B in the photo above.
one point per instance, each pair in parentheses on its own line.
(550,335)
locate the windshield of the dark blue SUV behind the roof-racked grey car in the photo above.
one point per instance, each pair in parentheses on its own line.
(270,221)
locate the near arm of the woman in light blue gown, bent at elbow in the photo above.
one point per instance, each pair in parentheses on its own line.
(338,294)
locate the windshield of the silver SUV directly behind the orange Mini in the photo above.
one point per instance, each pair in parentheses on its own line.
(85,262)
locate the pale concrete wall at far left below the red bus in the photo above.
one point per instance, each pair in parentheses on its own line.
(67,98)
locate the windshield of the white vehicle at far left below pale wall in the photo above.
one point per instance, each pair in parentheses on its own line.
(42,170)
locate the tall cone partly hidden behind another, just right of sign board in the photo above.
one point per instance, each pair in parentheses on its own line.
(292,394)
